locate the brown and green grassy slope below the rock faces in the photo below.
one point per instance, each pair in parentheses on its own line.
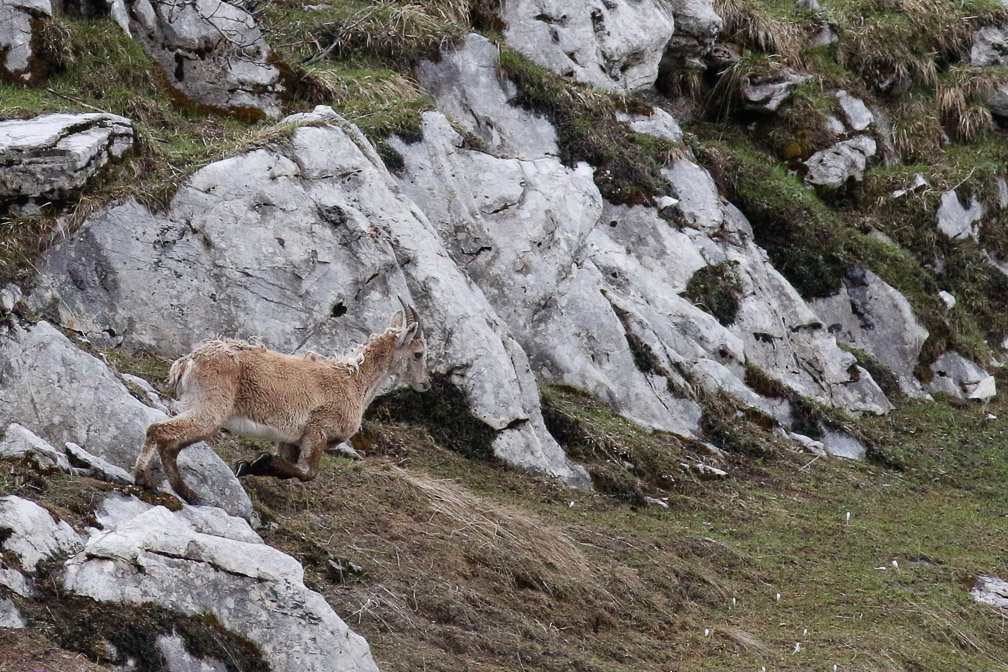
(475,566)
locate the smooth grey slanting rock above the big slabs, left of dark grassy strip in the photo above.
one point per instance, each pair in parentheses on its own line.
(470,89)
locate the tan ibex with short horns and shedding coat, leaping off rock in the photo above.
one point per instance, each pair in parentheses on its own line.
(304,404)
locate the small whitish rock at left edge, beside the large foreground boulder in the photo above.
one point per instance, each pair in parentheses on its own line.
(32,534)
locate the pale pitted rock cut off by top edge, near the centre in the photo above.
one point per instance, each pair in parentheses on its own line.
(614,46)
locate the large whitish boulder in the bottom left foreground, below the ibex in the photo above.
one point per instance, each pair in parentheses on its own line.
(209,565)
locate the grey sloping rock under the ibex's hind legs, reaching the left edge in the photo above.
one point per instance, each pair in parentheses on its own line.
(64,394)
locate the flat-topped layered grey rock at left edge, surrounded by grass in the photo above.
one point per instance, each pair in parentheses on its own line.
(53,156)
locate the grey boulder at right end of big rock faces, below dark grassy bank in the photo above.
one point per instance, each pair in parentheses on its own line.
(872,317)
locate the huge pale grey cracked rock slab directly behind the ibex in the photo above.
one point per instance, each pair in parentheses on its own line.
(306,248)
